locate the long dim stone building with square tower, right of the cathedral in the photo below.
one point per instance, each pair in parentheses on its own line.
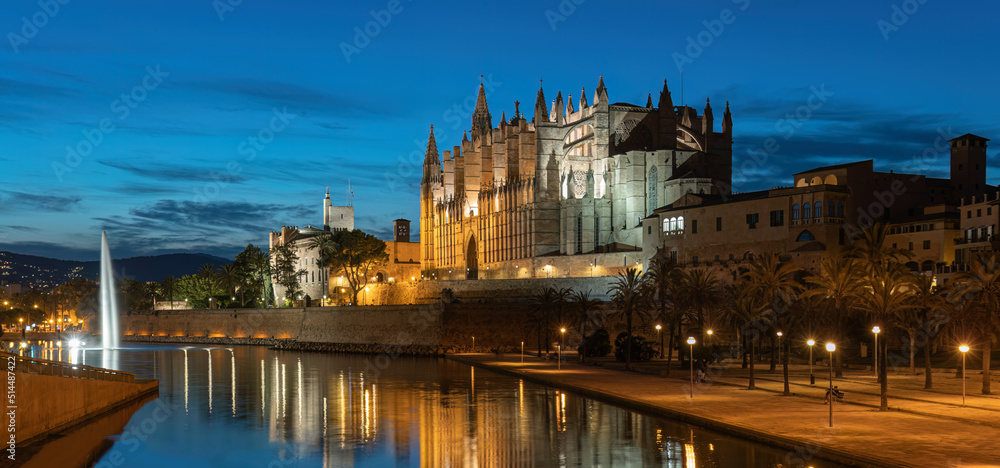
(825,207)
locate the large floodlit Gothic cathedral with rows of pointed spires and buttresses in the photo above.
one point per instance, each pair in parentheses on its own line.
(563,194)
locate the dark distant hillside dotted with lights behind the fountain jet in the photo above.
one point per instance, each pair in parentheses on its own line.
(40,272)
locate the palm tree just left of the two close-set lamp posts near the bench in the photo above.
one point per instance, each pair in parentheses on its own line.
(774,281)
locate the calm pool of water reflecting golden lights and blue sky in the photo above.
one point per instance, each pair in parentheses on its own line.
(251,407)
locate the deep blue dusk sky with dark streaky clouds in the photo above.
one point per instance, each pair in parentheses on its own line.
(201,125)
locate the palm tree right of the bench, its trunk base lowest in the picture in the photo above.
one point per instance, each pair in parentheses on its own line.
(888,293)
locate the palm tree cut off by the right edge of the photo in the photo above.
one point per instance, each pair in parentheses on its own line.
(982,283)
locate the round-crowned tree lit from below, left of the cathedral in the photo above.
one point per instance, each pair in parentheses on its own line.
(355,255)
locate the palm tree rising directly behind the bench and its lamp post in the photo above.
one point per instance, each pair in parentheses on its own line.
(838,281)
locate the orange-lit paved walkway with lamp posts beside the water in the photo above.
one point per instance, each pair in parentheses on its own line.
(924,428)
